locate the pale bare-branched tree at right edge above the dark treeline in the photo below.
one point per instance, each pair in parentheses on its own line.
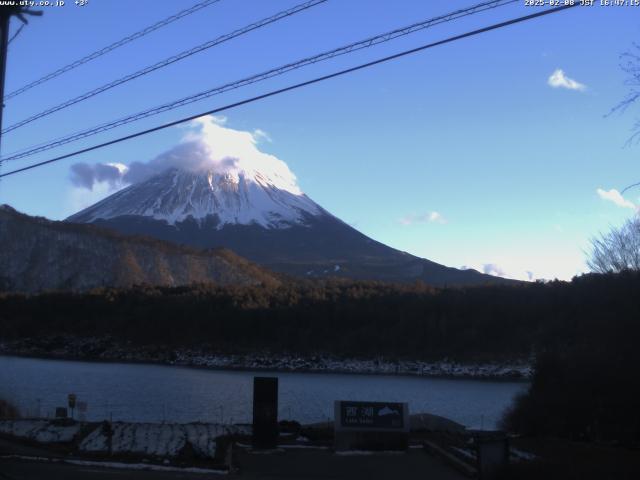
(617,250)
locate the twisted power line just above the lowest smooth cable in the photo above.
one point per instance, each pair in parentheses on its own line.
(366,43)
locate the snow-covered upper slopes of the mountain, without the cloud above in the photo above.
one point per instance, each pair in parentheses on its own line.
(232,197)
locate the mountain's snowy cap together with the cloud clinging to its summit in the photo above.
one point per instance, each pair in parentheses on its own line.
(215,173)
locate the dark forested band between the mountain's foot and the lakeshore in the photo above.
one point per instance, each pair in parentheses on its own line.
(345,317)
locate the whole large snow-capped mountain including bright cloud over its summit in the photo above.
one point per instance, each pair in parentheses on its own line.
(218,190)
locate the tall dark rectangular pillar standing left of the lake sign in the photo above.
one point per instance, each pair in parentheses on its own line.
(265,412)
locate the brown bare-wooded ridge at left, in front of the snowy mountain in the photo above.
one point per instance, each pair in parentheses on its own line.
(39,254)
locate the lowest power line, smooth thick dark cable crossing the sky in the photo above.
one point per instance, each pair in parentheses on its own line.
(296,86)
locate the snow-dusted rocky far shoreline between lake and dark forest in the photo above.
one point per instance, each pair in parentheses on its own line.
(109,350)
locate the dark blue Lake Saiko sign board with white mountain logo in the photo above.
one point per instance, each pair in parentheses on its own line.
(371,425)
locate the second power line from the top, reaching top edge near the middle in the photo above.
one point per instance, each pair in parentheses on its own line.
(168,61)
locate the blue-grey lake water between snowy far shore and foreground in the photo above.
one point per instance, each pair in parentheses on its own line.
(156,393)
